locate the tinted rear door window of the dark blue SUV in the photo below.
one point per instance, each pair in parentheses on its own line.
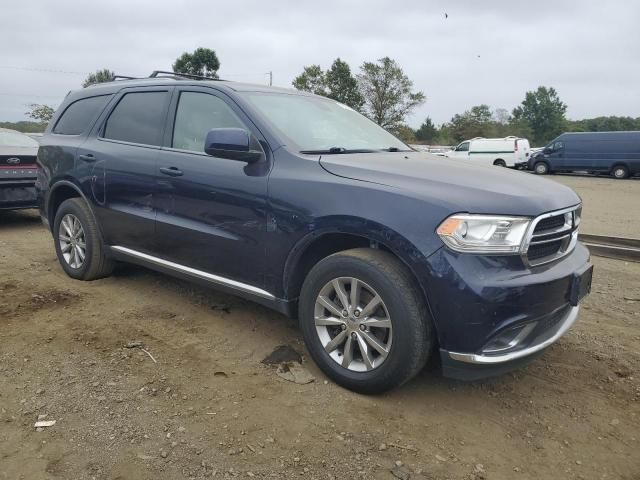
(138,118)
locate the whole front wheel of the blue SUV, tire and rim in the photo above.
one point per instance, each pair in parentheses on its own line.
(363,320)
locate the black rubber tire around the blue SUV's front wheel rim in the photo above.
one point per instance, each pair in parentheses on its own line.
(412,338)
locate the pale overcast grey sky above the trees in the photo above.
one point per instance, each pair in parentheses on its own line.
(488,52)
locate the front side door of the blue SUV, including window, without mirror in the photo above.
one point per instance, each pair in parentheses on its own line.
(211,211)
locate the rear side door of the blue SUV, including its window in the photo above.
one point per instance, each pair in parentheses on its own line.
(122,155)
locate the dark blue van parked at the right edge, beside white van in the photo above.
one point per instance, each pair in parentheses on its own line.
(613,153)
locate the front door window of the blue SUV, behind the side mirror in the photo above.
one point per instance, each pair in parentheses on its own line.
(198,113)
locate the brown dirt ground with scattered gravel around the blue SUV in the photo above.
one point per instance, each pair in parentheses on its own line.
(207,406)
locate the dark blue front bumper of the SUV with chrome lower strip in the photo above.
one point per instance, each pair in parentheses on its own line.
(494,314)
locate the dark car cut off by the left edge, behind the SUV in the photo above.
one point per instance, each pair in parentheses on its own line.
(17,170)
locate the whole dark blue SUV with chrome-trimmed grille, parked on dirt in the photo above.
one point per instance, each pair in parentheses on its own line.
(387,256)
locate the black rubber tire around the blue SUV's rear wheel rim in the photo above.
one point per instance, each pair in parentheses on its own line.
(96,263)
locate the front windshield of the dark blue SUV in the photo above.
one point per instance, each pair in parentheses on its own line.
(313,124)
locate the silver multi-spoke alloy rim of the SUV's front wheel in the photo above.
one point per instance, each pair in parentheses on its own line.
(353,324)
